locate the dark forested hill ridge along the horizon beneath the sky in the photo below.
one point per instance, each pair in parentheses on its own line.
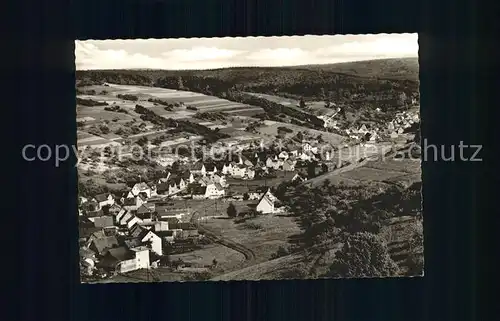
(388,84)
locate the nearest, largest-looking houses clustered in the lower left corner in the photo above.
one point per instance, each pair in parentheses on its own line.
(121,236)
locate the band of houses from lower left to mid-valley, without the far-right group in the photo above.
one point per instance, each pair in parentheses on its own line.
(130,231)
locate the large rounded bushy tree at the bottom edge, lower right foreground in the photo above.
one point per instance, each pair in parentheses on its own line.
(363,255)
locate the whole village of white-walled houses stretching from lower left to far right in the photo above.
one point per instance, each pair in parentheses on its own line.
(142,226)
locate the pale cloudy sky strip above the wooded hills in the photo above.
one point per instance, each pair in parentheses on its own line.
(210,53)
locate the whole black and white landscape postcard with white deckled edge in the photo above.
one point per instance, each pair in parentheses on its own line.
(250,158)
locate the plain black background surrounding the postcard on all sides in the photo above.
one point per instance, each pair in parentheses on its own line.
(453,77)
